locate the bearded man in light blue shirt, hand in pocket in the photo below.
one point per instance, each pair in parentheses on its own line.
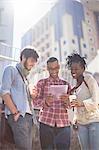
(15,93)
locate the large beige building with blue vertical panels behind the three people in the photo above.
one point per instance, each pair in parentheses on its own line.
(68,27)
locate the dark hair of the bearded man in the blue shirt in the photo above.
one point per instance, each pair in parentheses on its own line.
(29,52)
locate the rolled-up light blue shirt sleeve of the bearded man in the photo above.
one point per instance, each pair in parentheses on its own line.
(7,80)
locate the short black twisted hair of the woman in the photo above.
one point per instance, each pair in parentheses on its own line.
(75,58)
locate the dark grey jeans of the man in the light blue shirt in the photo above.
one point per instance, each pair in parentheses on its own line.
(22,131)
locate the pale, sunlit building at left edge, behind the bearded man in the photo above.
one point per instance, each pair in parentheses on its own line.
(6,33)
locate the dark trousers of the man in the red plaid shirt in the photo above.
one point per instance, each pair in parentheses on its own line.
(54,137)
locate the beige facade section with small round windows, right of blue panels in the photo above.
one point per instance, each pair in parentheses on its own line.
(90,28)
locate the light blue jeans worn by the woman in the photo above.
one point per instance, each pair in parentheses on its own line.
(89,136)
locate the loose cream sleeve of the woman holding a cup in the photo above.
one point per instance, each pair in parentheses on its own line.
(92,102)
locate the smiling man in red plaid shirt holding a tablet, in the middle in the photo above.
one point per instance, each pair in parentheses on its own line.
(53,118)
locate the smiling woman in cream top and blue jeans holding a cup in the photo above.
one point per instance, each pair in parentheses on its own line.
(86,102)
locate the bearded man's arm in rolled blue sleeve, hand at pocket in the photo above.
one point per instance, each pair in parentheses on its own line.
(7,79)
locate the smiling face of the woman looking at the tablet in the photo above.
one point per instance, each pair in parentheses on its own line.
(77,70)
